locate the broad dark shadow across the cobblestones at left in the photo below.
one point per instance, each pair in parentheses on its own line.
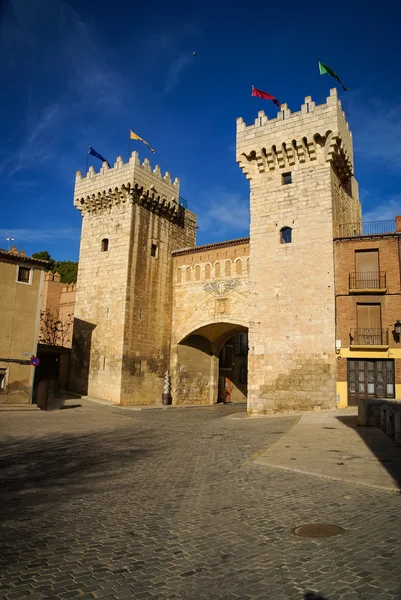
(44,471)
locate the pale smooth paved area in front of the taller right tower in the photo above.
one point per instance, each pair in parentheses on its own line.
(331,444)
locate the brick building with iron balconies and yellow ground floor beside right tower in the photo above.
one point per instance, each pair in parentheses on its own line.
(368,306)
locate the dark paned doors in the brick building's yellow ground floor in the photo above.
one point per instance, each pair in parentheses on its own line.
(370,379)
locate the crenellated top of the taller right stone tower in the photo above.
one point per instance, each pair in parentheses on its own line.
(316,132)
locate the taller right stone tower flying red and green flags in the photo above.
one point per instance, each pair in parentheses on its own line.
(300,168)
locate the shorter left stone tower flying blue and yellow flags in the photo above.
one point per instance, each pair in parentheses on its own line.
(131,223)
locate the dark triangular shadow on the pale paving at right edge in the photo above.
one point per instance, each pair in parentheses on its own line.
(382,446)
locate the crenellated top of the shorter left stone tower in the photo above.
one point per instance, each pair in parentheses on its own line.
(133,181)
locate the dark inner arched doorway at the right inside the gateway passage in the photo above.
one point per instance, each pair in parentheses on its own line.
(233,369)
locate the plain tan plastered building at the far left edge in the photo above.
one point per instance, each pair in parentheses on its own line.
(21,280)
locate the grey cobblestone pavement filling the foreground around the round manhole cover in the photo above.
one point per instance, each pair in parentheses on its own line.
(99,502)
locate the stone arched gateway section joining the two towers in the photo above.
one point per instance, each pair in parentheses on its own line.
(210,323)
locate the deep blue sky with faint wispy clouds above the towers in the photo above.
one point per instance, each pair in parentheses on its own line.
(79,72)
